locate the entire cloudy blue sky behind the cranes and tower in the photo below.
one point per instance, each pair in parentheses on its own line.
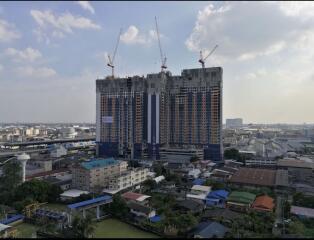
(52,52)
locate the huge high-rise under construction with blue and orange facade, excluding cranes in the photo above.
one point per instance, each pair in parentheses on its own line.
(136,116)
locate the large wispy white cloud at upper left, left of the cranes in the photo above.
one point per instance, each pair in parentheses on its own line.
(59,26)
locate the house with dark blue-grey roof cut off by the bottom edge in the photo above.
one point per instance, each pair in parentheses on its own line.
(210,230)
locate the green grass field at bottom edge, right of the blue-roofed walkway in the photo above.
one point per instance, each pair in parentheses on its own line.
(113,228)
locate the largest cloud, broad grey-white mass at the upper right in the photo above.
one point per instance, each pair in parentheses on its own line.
(243,32)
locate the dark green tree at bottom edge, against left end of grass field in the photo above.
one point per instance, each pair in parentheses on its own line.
(82,227)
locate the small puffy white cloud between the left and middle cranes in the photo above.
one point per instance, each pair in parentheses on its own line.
(133,36)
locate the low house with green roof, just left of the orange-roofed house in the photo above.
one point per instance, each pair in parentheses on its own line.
(240,201)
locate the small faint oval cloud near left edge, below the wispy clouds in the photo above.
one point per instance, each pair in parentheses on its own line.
(29,54)
